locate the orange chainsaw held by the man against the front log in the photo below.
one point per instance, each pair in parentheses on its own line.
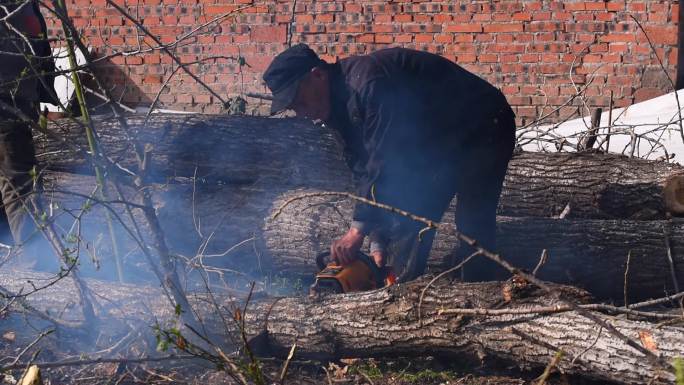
(360,275)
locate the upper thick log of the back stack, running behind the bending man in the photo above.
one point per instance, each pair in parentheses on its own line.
(280,154)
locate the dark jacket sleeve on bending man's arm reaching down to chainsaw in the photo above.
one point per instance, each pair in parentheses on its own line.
(387,126)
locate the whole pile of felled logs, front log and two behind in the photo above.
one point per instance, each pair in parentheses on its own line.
(219,180)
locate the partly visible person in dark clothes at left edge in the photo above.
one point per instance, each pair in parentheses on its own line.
(26,79)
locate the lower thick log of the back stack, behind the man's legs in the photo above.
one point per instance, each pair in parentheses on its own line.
(588,253)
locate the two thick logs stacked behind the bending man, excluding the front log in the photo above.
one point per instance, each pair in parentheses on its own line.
(223,177)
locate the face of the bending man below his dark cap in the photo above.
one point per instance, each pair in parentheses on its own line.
(313,96)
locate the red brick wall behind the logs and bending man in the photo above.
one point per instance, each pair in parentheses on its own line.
(527,48)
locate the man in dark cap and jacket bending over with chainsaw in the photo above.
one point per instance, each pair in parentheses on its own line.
(417,130)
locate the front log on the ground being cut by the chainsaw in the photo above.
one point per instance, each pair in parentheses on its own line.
(387,323)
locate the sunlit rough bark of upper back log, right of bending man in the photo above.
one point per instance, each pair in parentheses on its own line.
(598,186)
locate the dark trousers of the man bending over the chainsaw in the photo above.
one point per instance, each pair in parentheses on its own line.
(476,178)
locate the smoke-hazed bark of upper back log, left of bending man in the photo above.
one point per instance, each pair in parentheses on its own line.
(216,149)
